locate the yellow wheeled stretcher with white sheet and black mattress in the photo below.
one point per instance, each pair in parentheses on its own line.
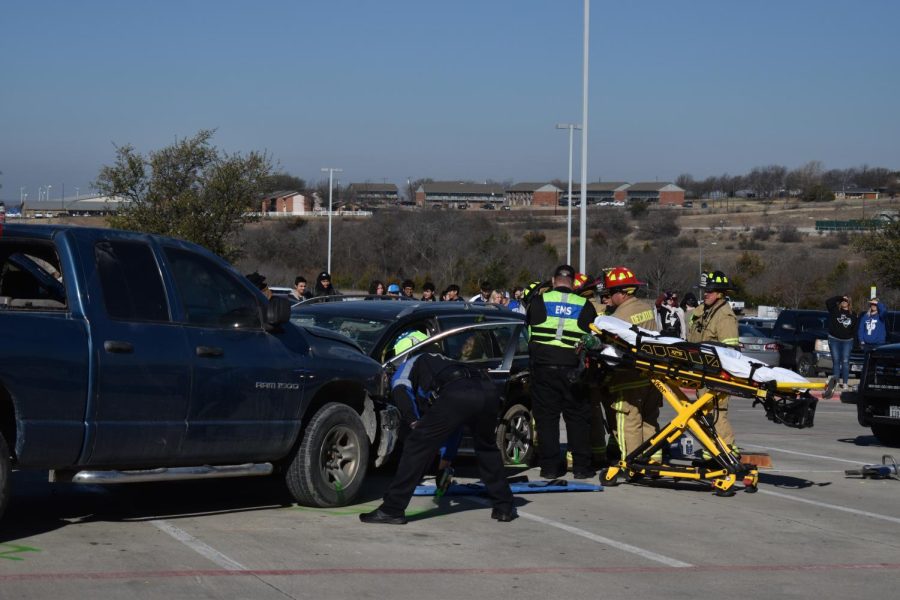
(672,366)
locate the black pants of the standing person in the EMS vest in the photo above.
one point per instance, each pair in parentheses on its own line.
(552,394)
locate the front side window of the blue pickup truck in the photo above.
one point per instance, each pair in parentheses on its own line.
(211,295)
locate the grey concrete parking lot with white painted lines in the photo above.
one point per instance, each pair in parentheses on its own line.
(809,531)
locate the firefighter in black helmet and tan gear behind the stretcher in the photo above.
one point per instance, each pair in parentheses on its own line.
(714,321)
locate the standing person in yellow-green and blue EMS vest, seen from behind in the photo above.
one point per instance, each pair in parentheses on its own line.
(557,319)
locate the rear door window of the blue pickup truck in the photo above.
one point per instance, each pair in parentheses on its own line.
(131,282)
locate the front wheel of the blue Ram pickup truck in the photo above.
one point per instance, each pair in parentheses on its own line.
(330,463)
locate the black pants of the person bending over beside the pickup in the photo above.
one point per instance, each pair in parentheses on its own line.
(474,402)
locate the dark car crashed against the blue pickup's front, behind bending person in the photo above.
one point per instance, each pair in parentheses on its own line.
(376,325)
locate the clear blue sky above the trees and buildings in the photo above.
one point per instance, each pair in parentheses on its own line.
(468,89)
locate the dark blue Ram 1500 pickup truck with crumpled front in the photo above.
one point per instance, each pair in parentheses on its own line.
(134,357)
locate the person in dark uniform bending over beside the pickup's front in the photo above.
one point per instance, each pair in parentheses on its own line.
(448,395)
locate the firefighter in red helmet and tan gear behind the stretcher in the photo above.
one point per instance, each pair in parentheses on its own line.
(633,401)
